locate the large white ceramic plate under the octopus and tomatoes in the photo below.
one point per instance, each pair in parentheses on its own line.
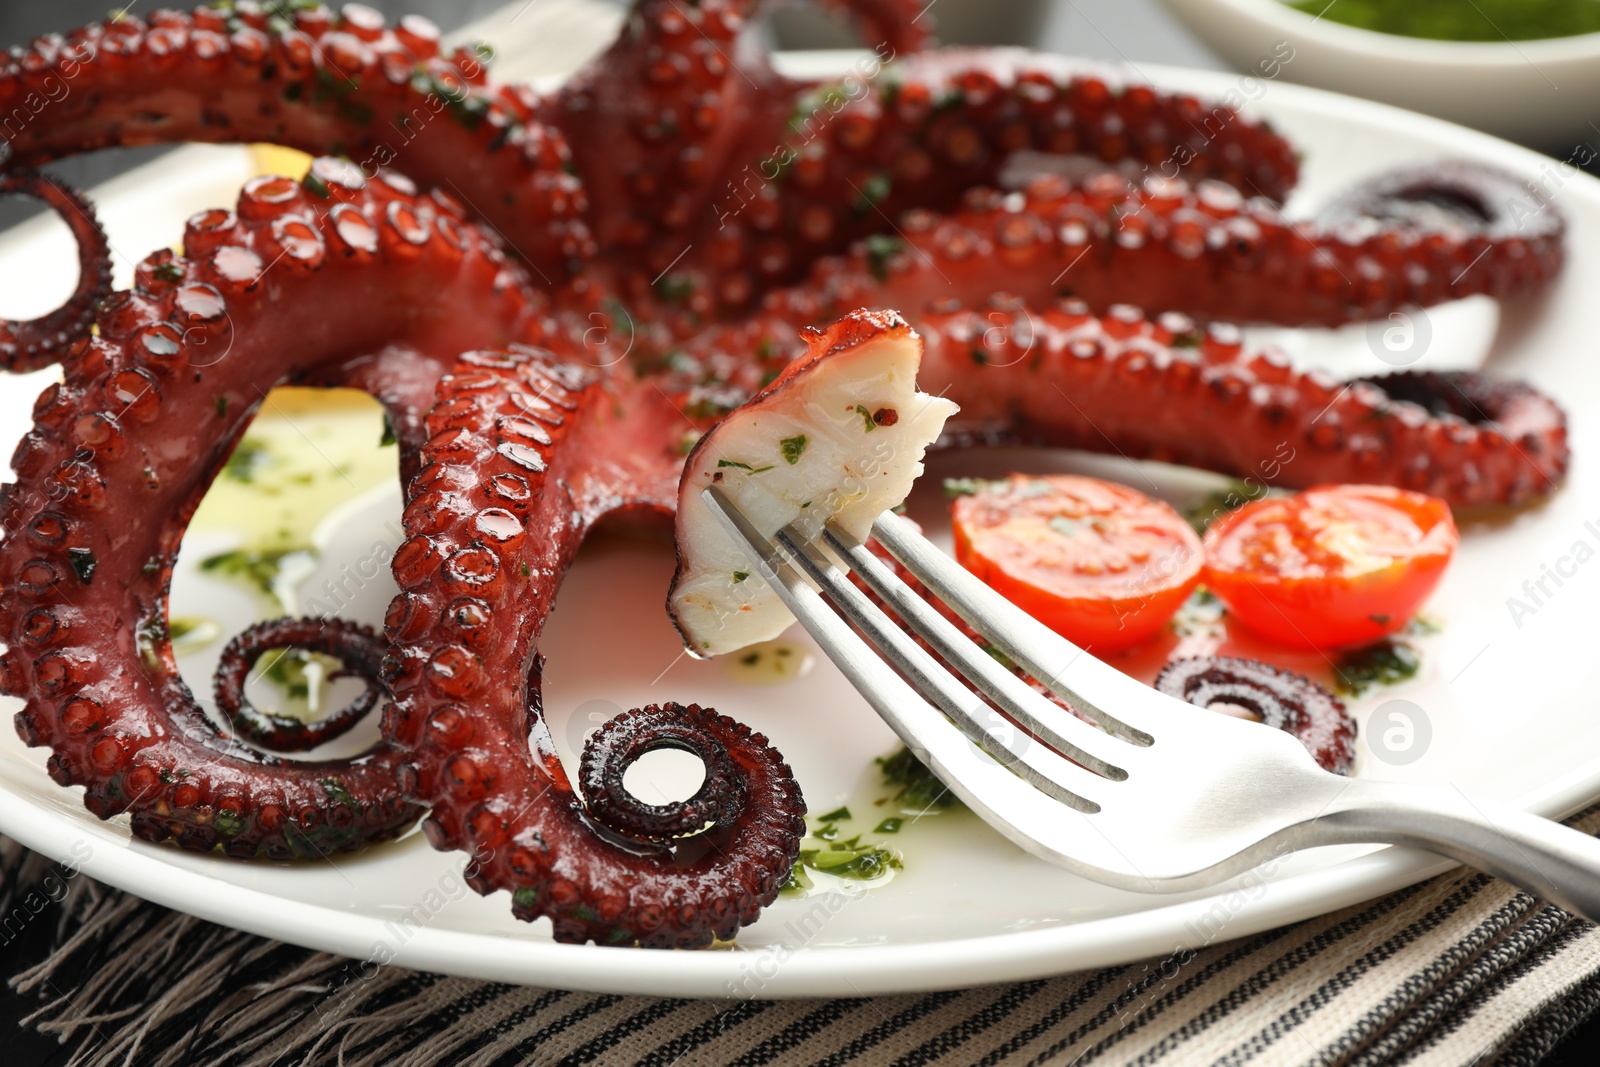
(1510,701)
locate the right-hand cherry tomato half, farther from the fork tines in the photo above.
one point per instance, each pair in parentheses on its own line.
(1334,567)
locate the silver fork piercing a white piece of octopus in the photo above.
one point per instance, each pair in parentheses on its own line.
(1161,797)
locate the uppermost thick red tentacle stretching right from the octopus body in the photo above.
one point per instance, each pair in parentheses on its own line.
(762,193)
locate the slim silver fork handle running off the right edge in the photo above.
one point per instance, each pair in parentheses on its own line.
(1545,858)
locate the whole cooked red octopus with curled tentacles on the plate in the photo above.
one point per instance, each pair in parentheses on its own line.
(554,294)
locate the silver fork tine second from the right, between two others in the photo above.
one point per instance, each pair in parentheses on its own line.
(1046,719)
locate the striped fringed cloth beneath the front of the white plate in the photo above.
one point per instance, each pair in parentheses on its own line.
(1458,970)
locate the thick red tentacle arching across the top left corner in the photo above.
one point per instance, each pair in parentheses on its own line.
(327,84)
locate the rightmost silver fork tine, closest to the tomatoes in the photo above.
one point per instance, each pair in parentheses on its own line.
(1060,666)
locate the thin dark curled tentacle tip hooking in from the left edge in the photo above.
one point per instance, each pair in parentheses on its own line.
(26,346)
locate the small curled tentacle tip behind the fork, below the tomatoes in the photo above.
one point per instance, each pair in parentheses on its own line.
(1282,698)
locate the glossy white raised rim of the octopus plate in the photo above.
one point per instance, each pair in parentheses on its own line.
(818,972)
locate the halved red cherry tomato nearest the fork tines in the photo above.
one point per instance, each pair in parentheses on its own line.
(1103,565)
